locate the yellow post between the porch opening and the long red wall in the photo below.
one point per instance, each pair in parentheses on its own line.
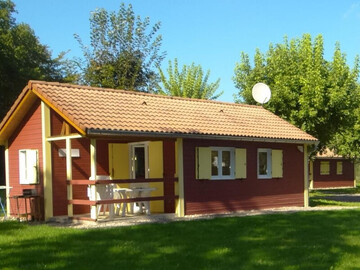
(180,208)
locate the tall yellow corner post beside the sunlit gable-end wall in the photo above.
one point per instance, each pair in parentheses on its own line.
(47,168)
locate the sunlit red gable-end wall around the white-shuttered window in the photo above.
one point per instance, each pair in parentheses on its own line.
(27,136)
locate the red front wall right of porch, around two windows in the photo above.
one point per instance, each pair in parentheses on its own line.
(215,196)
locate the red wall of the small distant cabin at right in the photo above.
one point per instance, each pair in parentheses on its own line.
(334,180)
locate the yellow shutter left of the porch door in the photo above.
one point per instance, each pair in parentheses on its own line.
(119,160)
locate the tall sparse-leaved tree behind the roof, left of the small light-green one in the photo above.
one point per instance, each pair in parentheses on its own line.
(124,52)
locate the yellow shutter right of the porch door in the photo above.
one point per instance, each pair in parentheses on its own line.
(156,160)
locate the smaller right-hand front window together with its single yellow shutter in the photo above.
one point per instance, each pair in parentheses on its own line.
(270,163)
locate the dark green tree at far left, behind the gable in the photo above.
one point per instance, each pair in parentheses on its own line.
(22,57)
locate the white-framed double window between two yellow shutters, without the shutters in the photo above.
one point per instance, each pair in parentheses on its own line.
(222,163)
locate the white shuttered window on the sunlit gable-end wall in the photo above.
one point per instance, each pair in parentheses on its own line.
(28,166)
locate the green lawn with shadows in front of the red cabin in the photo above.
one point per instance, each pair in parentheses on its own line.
(303,240)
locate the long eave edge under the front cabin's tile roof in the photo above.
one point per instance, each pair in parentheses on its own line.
(116,133)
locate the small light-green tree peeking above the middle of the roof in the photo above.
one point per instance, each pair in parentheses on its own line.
(190,82)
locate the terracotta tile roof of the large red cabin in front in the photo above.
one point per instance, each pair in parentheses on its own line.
(109,110)
